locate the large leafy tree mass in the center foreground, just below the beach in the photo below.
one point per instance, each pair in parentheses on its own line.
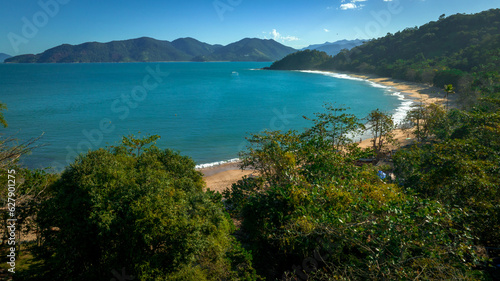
(313,212)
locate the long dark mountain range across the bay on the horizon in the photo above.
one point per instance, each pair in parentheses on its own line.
(147,49)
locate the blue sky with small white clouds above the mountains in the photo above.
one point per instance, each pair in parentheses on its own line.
(32,26)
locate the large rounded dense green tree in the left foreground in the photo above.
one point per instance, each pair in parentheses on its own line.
(144,212)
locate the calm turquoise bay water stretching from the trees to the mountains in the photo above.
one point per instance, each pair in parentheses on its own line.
(204,110)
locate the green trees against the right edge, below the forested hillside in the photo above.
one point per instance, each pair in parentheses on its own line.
(461,169)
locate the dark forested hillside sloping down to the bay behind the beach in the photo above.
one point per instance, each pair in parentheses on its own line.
(463,50)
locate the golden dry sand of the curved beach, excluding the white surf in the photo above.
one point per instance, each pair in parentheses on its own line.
(220,177)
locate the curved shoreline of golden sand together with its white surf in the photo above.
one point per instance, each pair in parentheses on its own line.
(220,175)
